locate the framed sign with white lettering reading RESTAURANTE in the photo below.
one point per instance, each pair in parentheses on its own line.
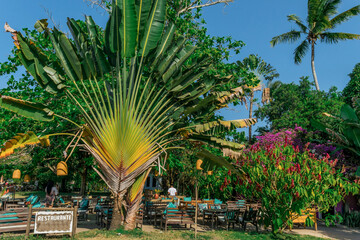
(54,222)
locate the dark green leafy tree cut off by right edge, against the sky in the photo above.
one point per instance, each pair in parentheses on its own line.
(352,89)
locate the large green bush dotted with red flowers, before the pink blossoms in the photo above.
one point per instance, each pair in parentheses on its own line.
(288,181)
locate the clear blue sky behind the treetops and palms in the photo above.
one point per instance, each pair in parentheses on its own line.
(255,22)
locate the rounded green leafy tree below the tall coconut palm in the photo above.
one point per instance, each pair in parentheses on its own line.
(293,104)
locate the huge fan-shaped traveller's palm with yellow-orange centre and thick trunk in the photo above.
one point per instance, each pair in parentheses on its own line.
(136,92)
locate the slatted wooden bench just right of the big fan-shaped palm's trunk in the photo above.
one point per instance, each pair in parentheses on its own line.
(175,216)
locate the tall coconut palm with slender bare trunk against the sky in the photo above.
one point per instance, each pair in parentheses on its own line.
(322,17)
